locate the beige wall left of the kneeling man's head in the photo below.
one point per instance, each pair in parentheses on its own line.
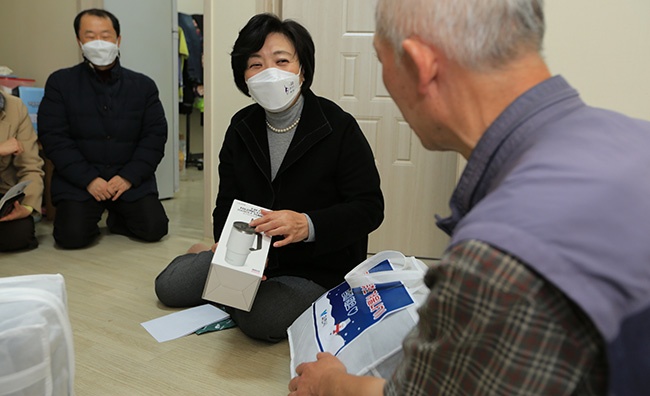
(37,37)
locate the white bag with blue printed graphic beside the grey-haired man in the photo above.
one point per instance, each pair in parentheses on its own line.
(363,320)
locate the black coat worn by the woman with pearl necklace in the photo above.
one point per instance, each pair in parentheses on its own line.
(328,172)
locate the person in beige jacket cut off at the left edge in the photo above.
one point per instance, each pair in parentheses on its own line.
(19,162)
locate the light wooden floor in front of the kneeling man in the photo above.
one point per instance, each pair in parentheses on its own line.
(110,292)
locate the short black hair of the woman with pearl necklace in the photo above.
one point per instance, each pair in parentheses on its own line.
(252,37)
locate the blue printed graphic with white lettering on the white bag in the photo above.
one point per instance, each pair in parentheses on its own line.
(354,310)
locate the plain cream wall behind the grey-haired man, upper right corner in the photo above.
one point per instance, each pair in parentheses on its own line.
(602,48)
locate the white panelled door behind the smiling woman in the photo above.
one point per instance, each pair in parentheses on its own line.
(417,183)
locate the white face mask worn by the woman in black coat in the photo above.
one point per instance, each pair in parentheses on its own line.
(274,89)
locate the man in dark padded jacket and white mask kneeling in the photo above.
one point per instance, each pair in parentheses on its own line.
(104,128)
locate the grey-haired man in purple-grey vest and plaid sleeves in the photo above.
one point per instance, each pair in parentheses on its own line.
(545,286)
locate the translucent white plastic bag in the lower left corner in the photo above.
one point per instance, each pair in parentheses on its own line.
(36,347)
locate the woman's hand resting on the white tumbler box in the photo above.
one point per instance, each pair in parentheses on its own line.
(293,226)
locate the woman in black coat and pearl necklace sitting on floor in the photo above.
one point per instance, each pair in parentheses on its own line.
(301,156)
